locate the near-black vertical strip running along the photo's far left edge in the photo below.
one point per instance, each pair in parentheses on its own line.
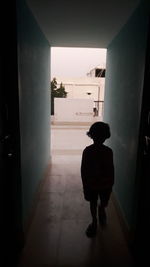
(10,166)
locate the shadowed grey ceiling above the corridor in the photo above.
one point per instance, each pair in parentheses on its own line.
(71,23)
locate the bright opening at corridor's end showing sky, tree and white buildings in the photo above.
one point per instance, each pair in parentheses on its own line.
(77,92)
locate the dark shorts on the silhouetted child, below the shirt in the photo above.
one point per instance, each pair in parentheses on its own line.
(93,195)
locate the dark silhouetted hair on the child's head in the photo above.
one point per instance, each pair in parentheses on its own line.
(99,130)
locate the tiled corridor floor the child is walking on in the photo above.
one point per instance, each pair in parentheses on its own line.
(57,237)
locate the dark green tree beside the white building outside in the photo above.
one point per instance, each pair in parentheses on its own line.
(56,92)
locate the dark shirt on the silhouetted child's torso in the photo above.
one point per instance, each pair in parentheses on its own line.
(97,167)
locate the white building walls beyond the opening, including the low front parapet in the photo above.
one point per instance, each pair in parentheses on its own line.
(78,106)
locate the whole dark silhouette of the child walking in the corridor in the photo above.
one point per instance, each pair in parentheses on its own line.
(97,173)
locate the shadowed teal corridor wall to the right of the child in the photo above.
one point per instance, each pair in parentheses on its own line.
(123,98)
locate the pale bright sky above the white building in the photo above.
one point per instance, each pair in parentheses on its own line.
(75,62)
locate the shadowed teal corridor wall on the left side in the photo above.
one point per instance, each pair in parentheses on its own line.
(34,101)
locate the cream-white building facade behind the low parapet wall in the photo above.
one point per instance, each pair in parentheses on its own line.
(90,87)
